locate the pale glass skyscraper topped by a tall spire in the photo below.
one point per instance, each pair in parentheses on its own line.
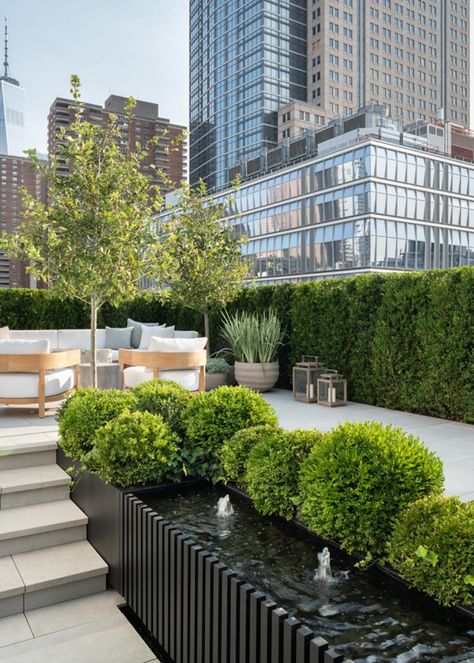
(12,111)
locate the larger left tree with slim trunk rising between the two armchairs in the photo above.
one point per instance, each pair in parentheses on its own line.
(95,239)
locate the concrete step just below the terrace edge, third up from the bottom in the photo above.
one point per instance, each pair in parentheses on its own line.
(33,485)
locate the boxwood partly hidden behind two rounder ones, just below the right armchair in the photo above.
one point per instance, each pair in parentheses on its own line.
(165,398)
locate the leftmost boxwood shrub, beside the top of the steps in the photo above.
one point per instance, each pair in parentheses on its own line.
(84,413)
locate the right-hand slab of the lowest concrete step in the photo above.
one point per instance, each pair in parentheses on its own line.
(60,573)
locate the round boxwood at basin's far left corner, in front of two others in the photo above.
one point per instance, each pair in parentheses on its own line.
(135,448)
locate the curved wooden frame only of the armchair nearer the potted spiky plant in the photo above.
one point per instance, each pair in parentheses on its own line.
(165,361)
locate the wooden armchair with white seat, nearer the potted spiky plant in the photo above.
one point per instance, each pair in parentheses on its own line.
(159,364)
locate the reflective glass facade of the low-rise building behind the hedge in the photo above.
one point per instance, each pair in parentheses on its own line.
(372,207)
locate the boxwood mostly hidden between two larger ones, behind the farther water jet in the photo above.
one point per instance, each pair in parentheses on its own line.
(235,451)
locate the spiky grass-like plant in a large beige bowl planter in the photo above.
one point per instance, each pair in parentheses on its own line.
(254,341)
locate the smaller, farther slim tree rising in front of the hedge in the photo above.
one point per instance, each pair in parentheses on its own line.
(207,266)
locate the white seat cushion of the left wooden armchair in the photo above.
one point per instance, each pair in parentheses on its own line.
(25,385)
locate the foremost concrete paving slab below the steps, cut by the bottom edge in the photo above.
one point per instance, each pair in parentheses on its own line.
(109,640)
